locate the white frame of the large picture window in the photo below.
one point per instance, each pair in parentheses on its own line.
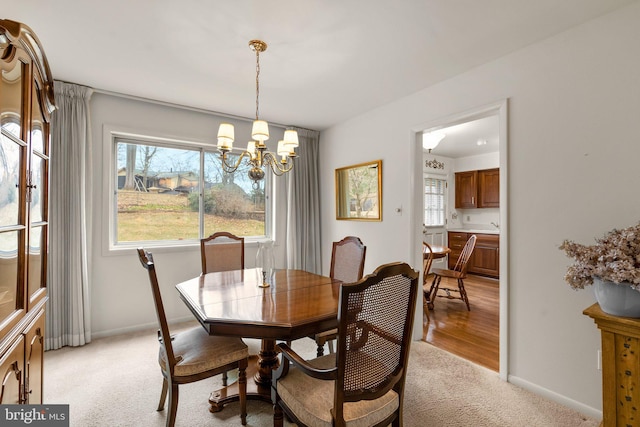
(111,136)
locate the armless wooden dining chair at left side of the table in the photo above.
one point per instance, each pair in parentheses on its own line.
(193,354)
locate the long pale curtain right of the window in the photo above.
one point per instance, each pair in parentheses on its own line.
(303,206)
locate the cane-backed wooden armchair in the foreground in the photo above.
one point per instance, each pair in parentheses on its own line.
(362,383)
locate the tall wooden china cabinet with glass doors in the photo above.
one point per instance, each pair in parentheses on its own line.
(26,104)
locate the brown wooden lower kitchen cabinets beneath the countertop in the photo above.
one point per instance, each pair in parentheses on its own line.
(485,259)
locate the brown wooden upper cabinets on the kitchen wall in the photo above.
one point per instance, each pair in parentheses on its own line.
(477,189)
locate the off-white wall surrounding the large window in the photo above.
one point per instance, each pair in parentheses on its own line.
(120,291)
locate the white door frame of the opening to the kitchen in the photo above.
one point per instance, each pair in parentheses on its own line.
(499,108)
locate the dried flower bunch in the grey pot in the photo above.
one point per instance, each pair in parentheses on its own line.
(615,258)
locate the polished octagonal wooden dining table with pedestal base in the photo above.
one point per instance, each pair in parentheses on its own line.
(296,304)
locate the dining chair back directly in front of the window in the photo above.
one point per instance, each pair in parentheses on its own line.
(222,251)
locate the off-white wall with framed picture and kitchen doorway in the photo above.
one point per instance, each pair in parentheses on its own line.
(573,173)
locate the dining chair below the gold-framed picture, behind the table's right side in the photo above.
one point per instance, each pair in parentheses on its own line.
(347,265)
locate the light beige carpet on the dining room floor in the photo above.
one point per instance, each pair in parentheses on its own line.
(116,381)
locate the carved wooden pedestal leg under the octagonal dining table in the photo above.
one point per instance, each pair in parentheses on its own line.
(260,368)
